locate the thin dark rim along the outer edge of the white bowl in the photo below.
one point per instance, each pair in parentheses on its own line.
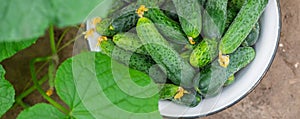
(256,84)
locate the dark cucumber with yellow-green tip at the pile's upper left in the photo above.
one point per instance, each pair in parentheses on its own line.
(122,22)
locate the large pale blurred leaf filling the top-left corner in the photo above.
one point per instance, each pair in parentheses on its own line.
(27,19)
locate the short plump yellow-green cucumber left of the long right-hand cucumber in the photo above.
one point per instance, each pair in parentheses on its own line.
(205,52)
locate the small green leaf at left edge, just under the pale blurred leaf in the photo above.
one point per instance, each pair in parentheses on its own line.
(8,49)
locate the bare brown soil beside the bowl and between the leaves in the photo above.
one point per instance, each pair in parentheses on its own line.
(276,97)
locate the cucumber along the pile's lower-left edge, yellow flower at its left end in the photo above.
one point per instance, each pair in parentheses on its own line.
(135,61)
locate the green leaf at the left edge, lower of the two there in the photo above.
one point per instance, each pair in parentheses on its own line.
(7,93)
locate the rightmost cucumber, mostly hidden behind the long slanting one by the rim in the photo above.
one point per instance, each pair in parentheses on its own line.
(253,36)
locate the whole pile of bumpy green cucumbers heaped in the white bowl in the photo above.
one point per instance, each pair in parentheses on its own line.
(190,48)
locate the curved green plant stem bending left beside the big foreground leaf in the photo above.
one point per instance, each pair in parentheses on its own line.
(39,88)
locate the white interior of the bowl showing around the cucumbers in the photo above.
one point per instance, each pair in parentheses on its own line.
(246,79)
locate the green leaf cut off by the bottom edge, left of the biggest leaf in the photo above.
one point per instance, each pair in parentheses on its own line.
(41,111)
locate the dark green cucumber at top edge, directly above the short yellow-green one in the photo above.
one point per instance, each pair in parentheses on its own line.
(214,18)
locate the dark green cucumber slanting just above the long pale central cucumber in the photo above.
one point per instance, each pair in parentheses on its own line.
(167,27)
